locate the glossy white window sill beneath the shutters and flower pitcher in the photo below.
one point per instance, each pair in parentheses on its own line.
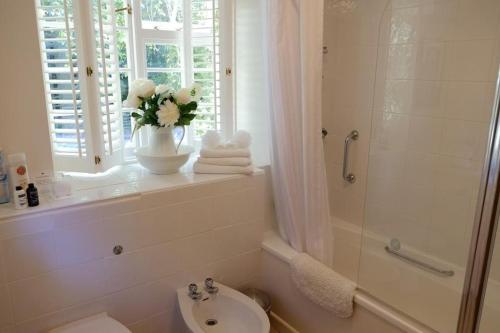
(123,181)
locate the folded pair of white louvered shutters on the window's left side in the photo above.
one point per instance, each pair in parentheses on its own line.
(78,37)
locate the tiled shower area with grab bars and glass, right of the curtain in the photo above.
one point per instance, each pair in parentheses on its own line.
(416,80)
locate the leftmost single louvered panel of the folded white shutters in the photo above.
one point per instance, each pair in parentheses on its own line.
(60,61)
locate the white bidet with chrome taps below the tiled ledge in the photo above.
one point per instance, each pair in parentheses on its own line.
(227,312)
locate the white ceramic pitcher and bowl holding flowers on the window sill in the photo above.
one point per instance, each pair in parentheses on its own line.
(163,156)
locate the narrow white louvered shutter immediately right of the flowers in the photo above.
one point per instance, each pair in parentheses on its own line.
(206,63)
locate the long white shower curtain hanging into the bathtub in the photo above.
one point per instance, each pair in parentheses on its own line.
(293,41)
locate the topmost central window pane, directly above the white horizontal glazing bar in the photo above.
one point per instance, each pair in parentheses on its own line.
(162,14)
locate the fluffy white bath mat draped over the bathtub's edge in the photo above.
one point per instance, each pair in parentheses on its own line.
(322,285)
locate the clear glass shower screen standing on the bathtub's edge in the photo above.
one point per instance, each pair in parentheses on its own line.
(437,64)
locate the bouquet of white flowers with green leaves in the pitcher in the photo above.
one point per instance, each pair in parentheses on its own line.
(161,106)
